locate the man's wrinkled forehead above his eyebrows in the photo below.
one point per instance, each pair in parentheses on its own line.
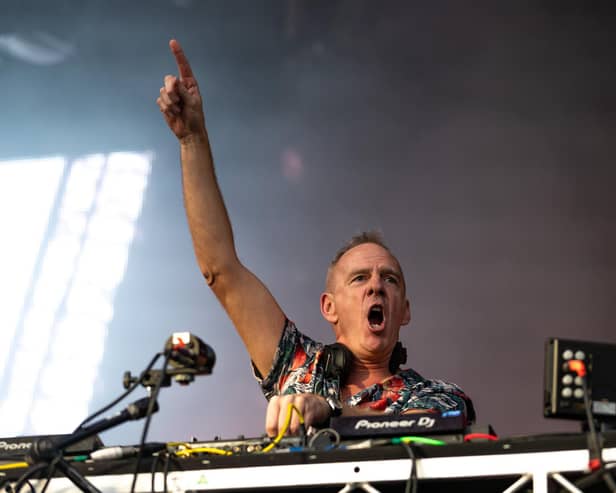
(364,256)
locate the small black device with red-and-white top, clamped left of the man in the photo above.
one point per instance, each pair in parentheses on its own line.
(189,356)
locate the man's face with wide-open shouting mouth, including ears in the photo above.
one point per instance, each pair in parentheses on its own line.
(366,302)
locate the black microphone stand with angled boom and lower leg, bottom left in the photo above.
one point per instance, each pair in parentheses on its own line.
(47,451)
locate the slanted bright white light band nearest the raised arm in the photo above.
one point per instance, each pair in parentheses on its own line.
(71,305)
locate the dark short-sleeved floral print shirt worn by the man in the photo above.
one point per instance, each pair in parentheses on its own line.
(297,369)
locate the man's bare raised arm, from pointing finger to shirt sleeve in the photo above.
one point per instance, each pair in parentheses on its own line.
(252,309)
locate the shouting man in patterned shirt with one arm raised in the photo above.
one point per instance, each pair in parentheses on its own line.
(365,300)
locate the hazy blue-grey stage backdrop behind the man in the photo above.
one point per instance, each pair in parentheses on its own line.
(478,138)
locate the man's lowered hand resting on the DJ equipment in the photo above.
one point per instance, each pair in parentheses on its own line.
(314,409)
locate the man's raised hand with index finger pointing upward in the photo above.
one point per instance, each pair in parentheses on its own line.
(180,100)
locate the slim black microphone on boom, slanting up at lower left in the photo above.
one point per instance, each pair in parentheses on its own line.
(46,449)
